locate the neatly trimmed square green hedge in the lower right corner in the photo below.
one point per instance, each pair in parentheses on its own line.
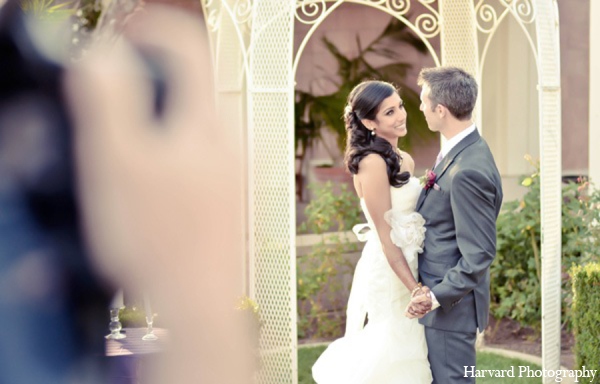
(586,314)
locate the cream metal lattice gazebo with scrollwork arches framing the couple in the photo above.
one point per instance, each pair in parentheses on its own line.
(252,45)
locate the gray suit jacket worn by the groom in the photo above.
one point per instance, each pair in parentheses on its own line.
(460,242)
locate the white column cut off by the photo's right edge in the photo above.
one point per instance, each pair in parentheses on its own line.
(594,138)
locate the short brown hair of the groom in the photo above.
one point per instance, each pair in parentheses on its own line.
(452,87)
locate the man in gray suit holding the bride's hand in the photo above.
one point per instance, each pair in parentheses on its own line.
(460,204)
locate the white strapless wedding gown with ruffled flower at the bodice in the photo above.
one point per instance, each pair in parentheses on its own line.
(391,348)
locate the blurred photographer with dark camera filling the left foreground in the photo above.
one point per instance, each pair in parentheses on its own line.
(114,173)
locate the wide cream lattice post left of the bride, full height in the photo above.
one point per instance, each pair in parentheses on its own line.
(272,189)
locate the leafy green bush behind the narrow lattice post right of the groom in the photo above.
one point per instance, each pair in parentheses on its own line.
(516,271)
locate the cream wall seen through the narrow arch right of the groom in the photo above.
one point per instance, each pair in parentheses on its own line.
(510,104)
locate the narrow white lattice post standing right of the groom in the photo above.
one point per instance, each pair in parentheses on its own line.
(550,180)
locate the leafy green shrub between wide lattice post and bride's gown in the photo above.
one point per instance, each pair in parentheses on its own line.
(318,275)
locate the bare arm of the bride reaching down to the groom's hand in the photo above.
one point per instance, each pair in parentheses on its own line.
(375,188)
